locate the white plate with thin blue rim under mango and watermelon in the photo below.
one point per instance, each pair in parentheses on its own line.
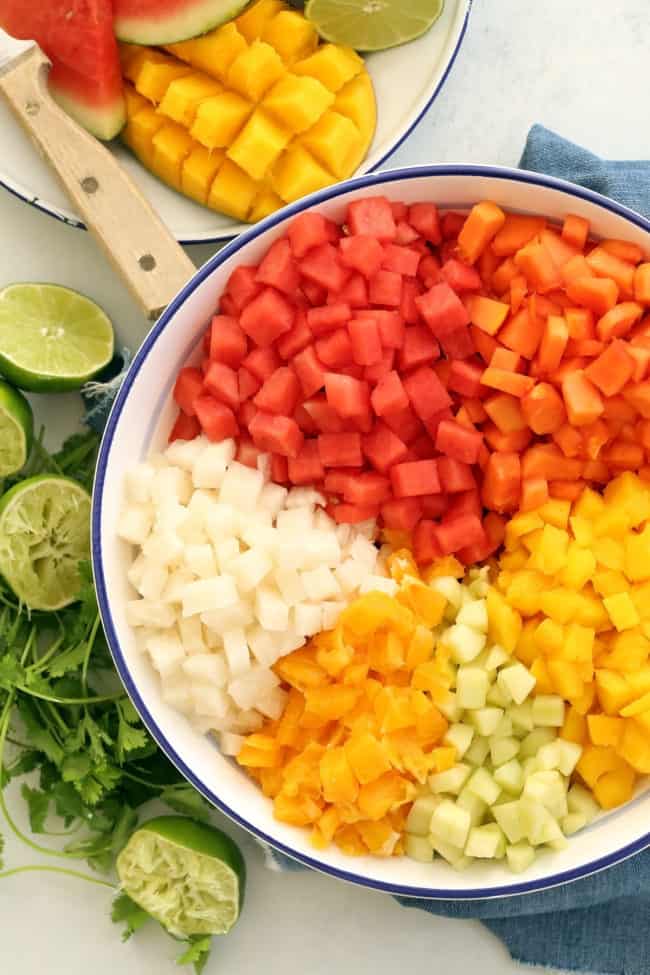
(407,80)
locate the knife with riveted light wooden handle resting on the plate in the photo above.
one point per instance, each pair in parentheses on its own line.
(133,236)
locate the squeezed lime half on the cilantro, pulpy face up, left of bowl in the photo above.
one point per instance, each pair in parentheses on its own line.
(44,534)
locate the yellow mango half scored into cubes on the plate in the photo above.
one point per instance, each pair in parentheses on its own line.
(251,116)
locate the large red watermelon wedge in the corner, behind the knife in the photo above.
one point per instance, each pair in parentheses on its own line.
(78,38)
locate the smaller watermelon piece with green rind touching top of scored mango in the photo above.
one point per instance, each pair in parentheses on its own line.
(169,21)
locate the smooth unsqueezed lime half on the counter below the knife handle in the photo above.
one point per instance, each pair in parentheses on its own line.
(51,338)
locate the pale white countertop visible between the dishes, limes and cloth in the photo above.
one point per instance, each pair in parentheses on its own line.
(577,66)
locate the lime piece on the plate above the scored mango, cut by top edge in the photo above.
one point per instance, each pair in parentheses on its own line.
(372,25)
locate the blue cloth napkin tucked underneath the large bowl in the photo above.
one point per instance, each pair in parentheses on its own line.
(601,924)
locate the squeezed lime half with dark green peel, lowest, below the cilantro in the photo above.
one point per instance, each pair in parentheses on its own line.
(188,876)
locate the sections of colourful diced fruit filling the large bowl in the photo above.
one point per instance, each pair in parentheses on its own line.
(396,555)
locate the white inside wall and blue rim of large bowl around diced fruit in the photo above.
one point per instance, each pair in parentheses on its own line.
(141,420)
